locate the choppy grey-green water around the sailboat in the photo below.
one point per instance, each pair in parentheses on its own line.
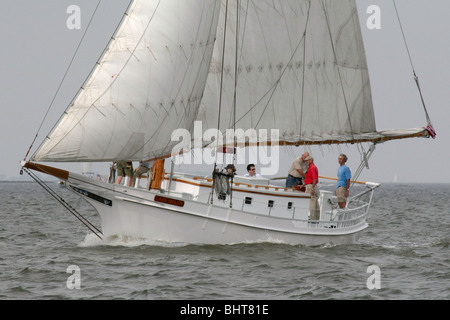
(408,239)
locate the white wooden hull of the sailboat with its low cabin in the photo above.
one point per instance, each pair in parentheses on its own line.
(181,217)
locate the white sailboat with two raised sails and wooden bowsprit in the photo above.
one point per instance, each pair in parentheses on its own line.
(204,77)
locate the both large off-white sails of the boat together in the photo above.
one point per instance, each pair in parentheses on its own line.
(294,65)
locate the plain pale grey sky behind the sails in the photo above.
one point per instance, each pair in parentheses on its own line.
(37,47)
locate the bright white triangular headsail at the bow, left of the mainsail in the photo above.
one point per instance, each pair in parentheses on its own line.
(149,81)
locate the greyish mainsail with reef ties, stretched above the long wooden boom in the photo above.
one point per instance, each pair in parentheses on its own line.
(300,67)
